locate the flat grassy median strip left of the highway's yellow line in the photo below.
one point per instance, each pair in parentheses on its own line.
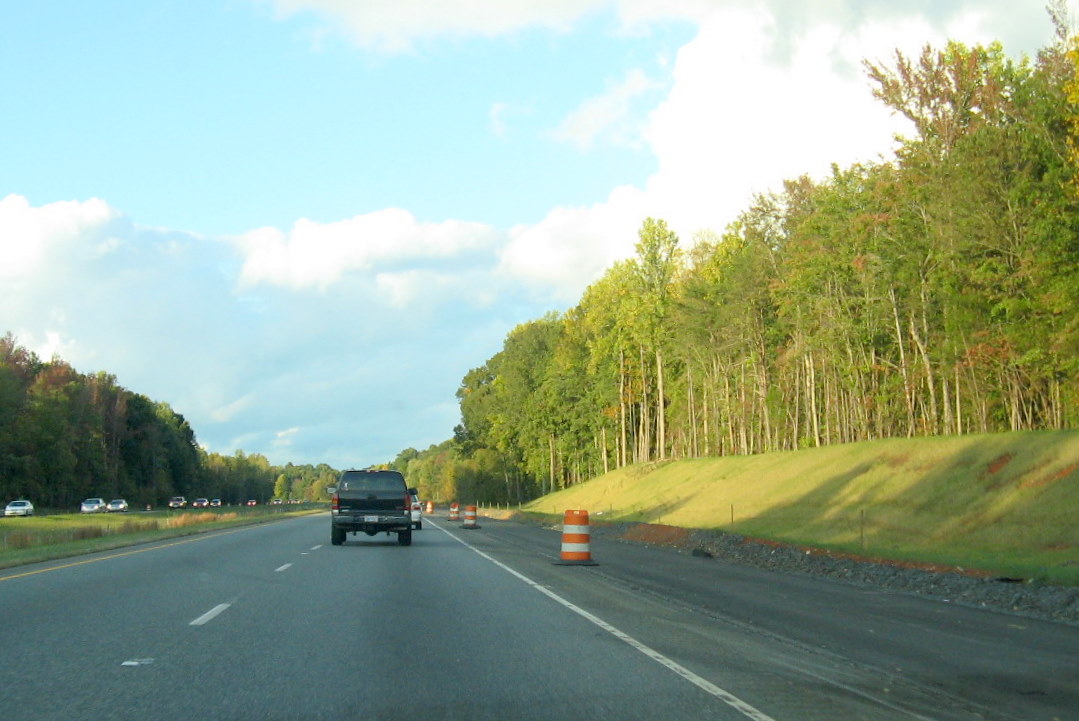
(47,538)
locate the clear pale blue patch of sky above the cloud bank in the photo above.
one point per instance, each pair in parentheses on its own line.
(195,100)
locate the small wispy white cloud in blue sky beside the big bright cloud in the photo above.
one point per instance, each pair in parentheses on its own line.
(608,115)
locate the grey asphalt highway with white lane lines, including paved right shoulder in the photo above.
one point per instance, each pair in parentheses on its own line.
(272,622)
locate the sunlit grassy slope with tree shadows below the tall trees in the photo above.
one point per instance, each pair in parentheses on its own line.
(1007,505)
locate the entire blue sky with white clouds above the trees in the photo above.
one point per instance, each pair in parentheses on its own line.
(302,223)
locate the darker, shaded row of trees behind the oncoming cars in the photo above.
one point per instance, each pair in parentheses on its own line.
(66,437)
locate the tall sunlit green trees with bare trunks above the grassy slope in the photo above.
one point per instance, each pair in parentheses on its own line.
(934,293)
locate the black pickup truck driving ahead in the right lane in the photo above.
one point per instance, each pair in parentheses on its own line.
(372,502)
